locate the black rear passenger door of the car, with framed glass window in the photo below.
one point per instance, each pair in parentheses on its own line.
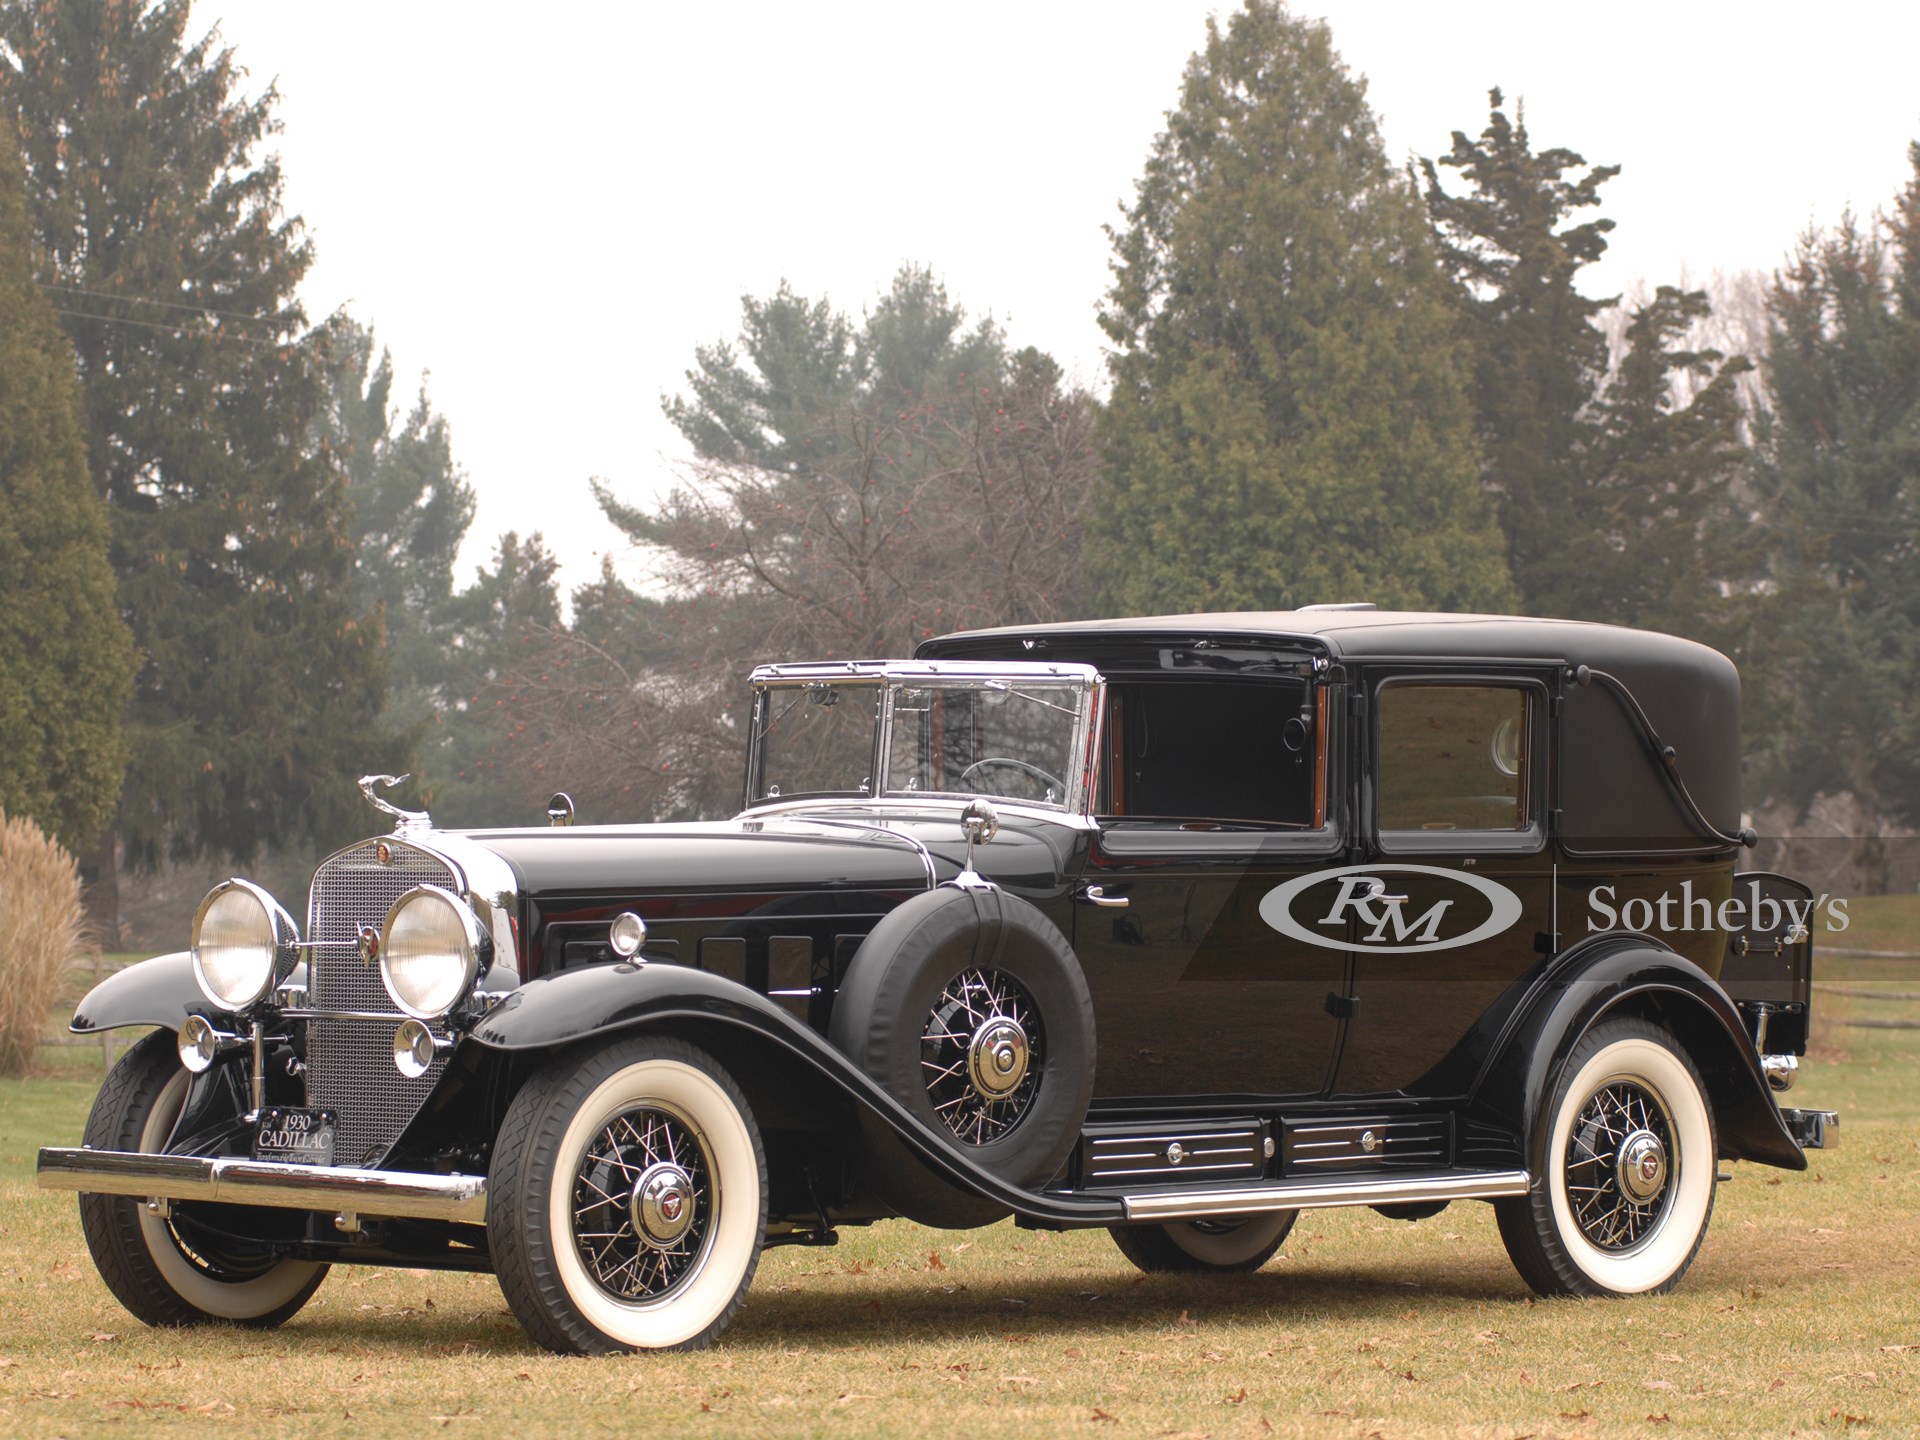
(1452,903)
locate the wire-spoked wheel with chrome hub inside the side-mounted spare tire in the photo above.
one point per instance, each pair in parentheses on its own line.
(982,1055)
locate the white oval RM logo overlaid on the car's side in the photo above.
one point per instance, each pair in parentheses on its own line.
(1362,898)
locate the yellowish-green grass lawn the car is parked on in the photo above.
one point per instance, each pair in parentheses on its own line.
(1798,1318)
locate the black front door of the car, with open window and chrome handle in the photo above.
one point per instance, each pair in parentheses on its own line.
(1214,794)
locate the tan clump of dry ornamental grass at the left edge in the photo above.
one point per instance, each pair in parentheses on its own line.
(41,930)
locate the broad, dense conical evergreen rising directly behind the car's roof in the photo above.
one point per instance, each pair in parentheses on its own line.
(1287,421)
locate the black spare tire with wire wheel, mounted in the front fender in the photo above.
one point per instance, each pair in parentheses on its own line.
(971,1009)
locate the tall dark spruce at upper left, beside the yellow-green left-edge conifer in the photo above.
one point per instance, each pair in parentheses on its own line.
(174,268)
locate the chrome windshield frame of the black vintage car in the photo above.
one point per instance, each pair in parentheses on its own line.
(892,677)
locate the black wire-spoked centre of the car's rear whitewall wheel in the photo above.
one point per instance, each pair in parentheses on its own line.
(1620,1166)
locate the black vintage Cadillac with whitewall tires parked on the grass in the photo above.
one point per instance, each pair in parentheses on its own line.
(1168,926)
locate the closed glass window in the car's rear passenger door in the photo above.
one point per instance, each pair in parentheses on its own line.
(1454,757)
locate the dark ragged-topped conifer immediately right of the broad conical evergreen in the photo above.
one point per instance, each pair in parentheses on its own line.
(1516,249)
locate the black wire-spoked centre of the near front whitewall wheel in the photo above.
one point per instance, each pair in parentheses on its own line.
(642,1205)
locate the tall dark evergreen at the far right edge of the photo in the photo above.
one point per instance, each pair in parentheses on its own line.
(1838,491)
